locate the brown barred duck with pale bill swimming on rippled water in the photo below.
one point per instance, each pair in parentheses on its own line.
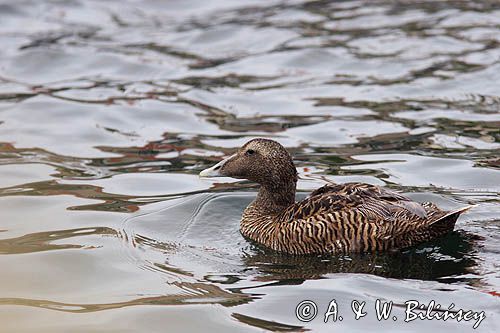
(333,219)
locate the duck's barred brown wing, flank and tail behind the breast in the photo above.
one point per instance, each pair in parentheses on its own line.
(361,217)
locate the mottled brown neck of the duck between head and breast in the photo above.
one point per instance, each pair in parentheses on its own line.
(272,200)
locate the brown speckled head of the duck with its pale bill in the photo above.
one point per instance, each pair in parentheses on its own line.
(260,160)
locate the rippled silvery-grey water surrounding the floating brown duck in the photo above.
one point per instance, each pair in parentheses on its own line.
(108,110)
